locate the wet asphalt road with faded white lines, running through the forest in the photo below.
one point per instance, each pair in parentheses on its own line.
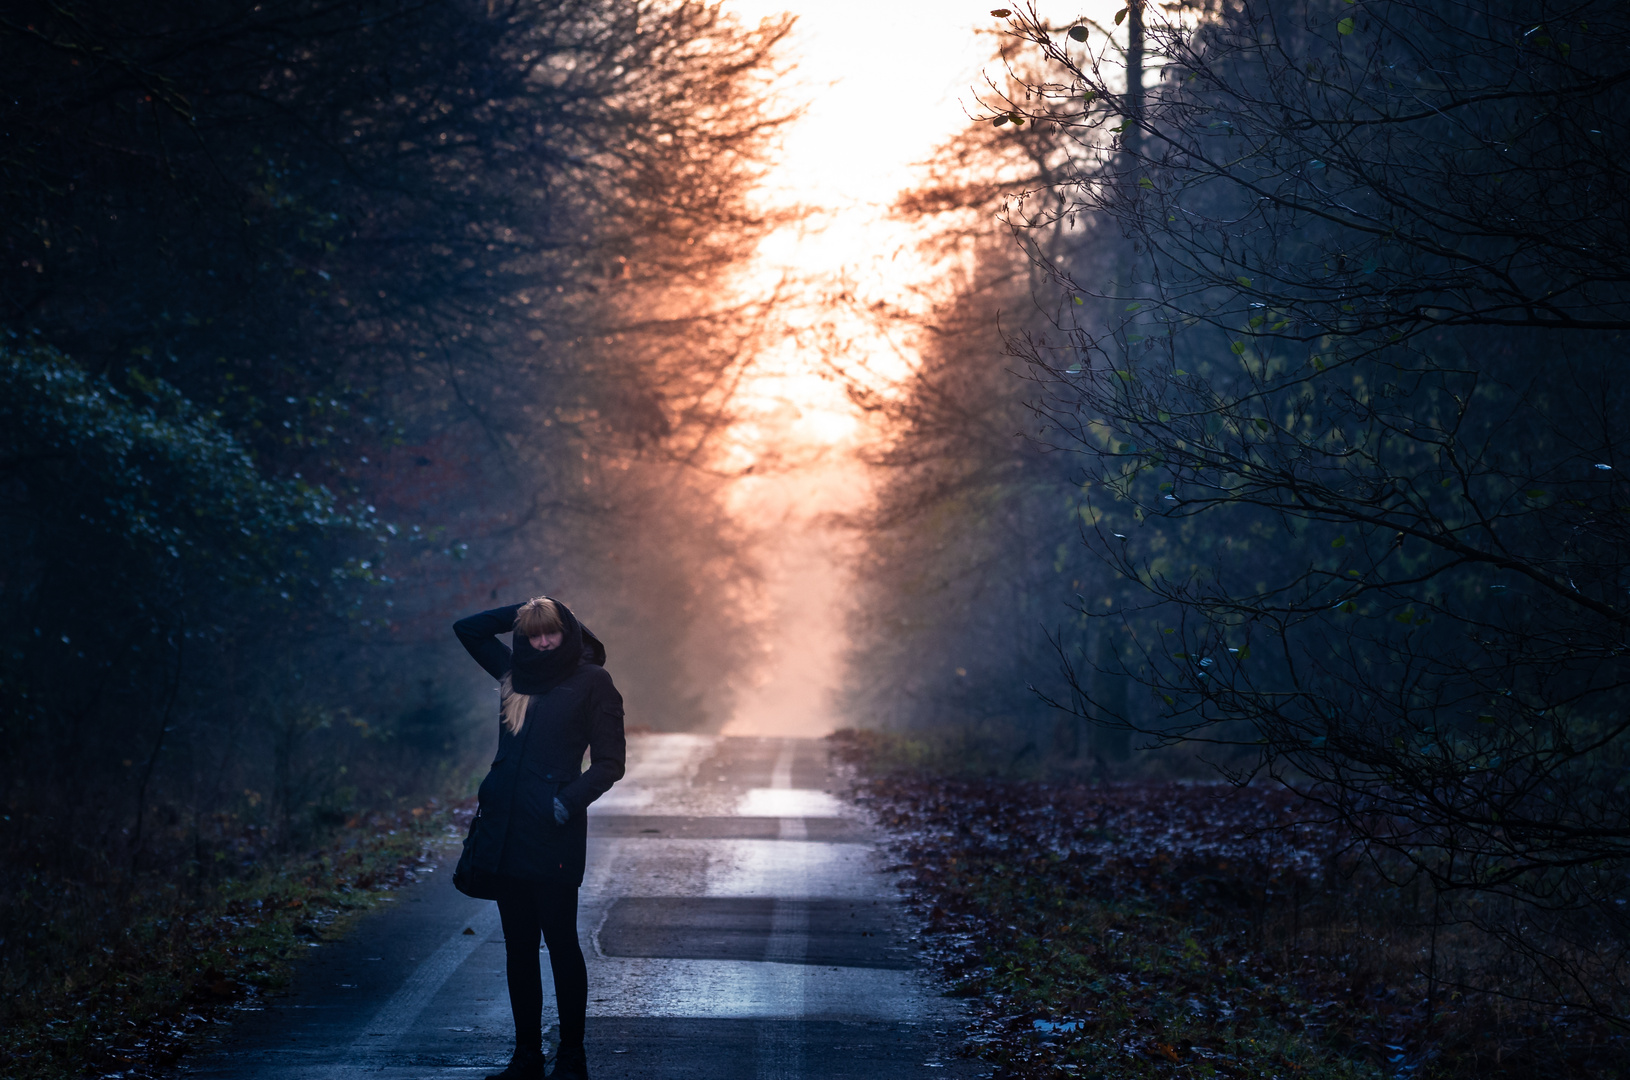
(738,920)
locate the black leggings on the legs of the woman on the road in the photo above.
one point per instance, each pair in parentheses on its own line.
(548,910)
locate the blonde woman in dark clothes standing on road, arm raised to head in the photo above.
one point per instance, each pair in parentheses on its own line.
(555,701)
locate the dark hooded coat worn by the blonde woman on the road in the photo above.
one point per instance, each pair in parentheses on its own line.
(575,708)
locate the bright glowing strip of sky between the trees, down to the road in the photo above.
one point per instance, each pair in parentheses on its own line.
(886,84)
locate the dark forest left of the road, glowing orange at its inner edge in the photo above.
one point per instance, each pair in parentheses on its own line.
(325,323)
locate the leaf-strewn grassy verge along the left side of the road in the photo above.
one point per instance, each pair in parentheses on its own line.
(134,1001)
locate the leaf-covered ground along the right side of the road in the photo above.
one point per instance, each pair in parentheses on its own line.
(1178,929)
